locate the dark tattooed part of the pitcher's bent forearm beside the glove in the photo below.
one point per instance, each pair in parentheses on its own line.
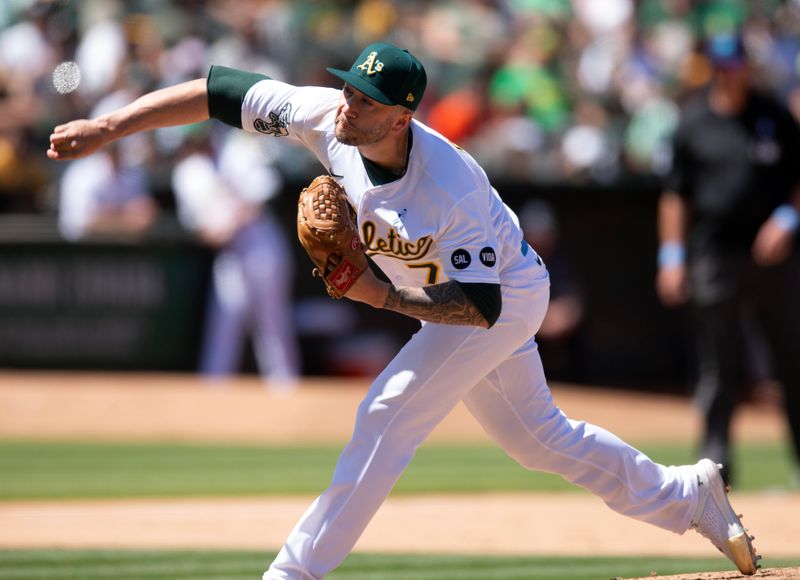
(445,303)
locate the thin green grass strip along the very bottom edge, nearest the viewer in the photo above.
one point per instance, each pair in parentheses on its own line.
(229,565)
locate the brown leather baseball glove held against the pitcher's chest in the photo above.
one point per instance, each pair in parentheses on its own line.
(328,233)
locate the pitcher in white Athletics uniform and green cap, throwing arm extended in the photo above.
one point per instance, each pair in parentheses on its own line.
(427,216)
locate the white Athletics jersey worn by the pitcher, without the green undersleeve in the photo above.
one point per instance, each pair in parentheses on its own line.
(442,220)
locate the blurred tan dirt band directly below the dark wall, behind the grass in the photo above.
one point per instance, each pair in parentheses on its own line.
(180,408)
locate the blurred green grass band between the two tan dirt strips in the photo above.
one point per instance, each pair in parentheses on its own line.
(59,470)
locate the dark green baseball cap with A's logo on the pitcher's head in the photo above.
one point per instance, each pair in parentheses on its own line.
(388,74)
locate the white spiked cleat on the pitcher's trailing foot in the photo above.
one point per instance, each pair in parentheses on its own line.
(715,519)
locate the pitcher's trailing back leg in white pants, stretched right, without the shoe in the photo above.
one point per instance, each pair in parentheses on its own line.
(516,408)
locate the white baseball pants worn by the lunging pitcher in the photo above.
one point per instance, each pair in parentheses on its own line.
(499,375)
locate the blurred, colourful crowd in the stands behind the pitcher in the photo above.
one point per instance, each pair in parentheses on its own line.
(539,90)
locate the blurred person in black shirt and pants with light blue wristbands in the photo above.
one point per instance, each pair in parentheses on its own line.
(726,222)
